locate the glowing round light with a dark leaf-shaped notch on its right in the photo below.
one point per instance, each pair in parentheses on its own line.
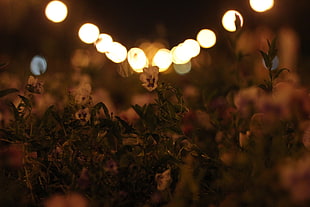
(229,20)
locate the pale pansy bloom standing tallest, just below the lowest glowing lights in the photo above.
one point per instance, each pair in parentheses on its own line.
(149,77)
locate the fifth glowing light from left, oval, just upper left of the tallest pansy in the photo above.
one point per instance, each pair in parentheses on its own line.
(137,59)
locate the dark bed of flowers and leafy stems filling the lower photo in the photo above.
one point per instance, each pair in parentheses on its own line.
(231,146)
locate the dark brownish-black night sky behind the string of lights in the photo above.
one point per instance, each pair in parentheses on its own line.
(25,30)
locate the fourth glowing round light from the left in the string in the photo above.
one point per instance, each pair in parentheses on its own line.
(117,52)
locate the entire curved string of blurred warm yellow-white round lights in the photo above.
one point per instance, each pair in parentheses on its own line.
(179,55)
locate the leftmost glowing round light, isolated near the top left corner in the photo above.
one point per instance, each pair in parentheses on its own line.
(56,11)
